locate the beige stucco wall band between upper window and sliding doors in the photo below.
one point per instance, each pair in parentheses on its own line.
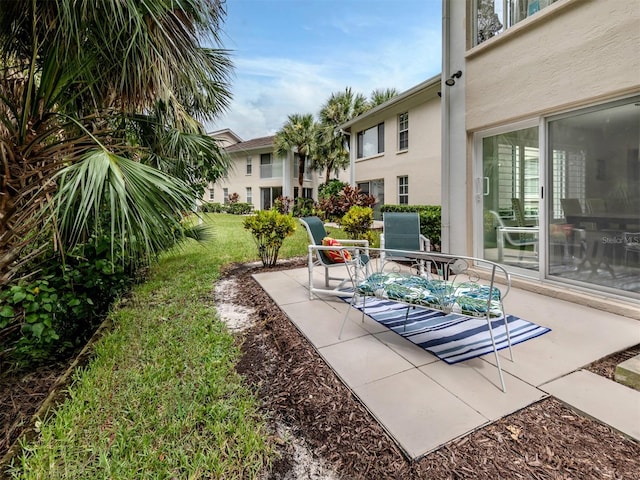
(573,53)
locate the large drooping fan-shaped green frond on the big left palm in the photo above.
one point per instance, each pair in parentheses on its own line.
(144,206)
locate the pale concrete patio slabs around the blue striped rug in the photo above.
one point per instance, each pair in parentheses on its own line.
(424,403)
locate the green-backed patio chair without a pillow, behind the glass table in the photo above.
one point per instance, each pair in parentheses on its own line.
(401,231)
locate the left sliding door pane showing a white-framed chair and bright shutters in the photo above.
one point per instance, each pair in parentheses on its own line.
(510,200)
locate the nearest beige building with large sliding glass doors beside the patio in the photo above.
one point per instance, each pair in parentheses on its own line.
(541,115)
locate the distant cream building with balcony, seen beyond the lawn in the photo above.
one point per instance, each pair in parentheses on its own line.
(257,175)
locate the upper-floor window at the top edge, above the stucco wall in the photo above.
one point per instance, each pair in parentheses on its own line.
(495,16)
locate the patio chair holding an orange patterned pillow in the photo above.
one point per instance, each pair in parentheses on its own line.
(319,255)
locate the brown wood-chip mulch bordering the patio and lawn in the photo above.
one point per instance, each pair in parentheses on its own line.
(544,441)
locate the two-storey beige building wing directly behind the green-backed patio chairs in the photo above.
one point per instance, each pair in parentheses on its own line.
(395,147)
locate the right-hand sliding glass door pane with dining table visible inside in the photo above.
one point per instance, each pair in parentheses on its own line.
(593,205)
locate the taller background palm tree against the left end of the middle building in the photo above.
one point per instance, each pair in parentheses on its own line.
(332,153)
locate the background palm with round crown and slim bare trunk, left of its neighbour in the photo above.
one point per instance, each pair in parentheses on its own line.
(297,134)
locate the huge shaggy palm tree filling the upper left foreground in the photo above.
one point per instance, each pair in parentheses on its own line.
(101,105)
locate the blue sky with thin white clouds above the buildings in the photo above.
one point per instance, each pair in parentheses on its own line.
(289,56)
